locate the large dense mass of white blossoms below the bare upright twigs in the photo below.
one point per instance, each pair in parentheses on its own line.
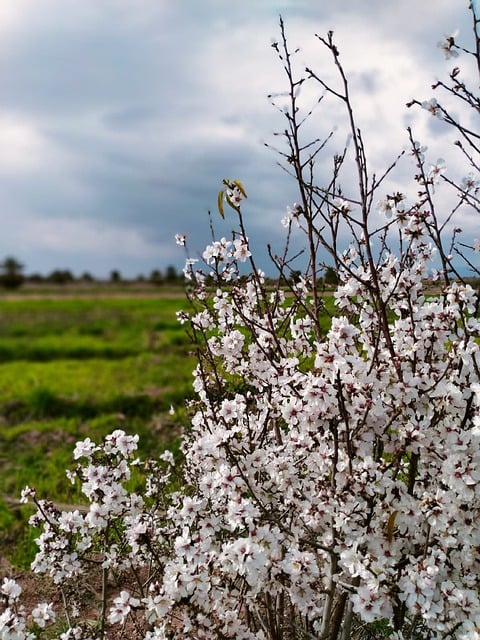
(357,475)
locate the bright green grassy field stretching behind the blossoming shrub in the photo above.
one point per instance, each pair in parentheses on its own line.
(72,367)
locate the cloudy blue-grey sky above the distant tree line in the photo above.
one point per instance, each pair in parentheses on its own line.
(120,118)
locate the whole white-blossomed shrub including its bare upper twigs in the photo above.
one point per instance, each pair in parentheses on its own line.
(331,475)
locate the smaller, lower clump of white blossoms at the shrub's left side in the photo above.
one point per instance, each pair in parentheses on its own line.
(115,535)
